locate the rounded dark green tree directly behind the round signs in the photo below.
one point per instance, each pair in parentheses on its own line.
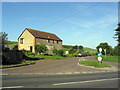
(104,46)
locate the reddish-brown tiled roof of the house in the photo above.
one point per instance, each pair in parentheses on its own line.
(41,34)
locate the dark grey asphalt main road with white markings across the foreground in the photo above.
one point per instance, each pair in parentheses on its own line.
(91,80)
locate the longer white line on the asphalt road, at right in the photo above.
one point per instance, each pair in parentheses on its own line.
(66,83)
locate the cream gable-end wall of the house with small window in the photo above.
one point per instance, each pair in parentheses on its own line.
(28,41)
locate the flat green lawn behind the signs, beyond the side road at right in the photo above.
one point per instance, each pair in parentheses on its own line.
(110,58)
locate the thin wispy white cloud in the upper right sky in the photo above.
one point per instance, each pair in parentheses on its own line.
(101,23)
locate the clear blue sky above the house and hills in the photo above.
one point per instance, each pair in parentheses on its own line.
(76,23)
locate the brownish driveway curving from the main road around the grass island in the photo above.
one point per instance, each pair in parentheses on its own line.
(68,65)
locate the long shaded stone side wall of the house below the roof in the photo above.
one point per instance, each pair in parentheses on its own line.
(50,45)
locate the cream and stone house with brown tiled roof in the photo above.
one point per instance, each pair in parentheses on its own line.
(29,38)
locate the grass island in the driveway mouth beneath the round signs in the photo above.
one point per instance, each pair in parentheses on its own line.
(94,64)
